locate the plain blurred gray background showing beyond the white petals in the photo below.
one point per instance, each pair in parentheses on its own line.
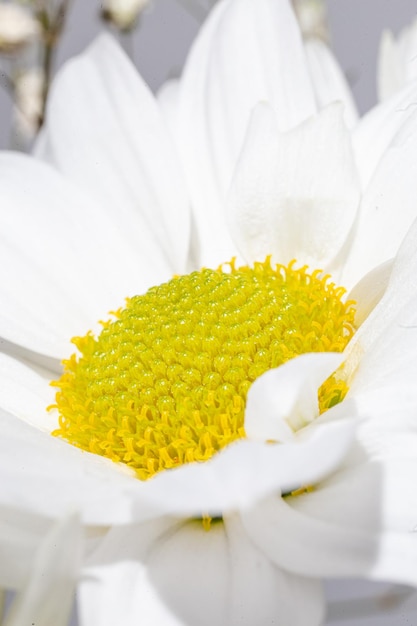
(159,49)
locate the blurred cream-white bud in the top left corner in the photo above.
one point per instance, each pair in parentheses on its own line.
(17,28)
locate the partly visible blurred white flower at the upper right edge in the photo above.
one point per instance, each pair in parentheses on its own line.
(397,61)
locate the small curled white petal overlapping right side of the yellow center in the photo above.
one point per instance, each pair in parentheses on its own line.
(285,399)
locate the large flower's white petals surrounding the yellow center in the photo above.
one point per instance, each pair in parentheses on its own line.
(121,207)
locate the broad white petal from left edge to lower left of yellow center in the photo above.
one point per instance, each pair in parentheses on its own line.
(47,477)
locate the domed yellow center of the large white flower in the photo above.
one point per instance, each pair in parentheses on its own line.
(165,383)
